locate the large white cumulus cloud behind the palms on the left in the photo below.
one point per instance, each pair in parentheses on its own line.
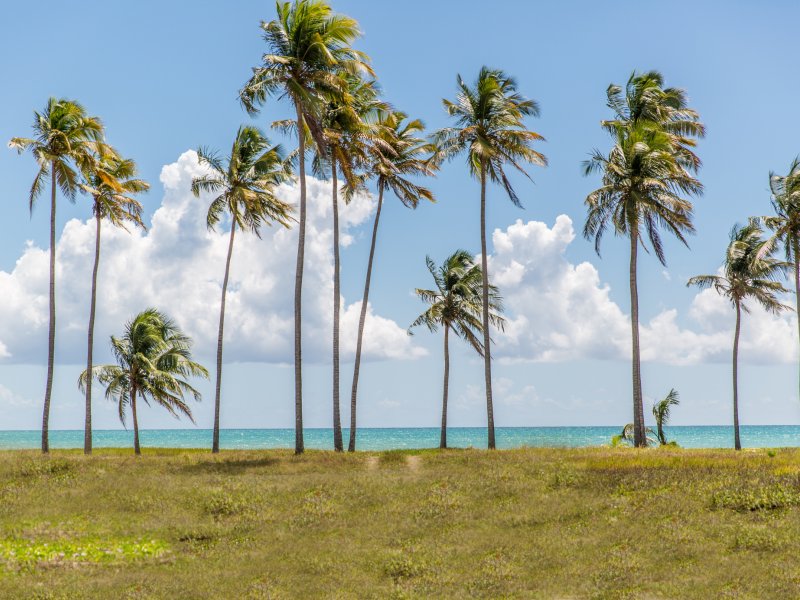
(177,266)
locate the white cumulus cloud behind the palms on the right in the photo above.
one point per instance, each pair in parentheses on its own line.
(559,311)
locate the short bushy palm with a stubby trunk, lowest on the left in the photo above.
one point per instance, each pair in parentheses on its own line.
(153,362)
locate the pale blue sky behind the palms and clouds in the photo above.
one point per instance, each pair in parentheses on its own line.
(164,77)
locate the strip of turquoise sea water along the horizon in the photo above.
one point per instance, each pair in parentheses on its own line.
(715,436)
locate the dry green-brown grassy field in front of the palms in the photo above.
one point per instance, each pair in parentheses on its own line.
(590,523)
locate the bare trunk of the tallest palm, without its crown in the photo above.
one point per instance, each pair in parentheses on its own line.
(298,291)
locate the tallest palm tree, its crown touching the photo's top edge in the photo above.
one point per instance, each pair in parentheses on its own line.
(308,52)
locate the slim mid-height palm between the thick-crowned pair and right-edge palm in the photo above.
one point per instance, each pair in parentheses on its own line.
(749,272)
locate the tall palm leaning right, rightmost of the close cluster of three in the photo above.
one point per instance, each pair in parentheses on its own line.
(398,154)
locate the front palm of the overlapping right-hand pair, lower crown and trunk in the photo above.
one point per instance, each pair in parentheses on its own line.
(644,187)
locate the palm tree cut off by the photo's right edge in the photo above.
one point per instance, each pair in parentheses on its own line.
(785,223)
